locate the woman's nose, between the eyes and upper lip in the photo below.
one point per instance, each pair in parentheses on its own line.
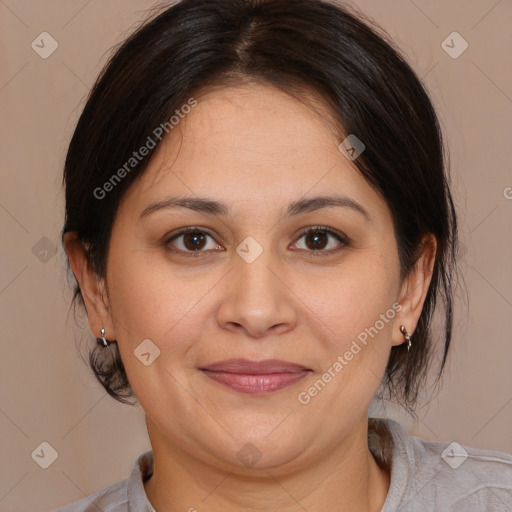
(256,300)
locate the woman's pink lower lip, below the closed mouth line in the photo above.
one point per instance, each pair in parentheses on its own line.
(254,384)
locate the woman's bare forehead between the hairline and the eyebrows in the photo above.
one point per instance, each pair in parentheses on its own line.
(243,143)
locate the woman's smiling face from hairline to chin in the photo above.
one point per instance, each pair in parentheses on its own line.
(257,287)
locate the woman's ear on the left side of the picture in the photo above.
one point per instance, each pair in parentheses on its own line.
(92,287)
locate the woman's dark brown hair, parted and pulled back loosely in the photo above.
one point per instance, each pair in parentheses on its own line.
(295,45)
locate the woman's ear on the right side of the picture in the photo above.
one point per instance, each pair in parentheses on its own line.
(414,289)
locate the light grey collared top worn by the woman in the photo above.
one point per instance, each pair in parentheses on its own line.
(426,476)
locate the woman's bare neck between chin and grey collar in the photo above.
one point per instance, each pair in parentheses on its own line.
(344,478)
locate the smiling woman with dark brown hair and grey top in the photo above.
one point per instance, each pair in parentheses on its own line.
(260,223)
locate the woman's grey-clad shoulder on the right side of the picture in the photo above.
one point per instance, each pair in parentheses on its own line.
(447,475)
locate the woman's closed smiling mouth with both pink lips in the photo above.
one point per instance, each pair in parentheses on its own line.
(256,377)
